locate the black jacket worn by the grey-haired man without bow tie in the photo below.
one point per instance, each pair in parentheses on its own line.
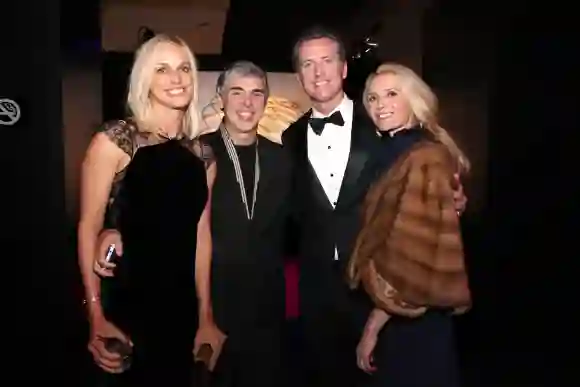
(248,266)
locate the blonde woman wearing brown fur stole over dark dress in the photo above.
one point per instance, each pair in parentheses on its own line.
(409,254)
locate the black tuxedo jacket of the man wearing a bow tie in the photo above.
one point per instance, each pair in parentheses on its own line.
(323,227)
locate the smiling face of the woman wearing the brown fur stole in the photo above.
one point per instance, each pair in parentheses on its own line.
(386,104)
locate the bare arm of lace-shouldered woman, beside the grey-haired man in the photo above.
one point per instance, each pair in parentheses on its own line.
(203,254)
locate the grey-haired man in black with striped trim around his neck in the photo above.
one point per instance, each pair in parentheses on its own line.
(249,214)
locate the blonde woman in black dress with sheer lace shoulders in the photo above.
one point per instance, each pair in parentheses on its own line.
(149,177)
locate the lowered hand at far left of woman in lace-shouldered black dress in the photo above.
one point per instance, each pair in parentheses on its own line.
(101,329)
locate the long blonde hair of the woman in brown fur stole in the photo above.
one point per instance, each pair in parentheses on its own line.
(424,105)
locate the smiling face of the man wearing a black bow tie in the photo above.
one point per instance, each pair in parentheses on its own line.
(321,70)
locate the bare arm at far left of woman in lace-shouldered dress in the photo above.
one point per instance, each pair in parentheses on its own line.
(102,161)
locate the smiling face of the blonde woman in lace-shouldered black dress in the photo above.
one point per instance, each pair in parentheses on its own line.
(172,80)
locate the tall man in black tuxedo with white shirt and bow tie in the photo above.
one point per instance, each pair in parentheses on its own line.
(331,147)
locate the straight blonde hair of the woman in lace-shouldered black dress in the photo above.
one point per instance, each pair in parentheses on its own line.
(142,72)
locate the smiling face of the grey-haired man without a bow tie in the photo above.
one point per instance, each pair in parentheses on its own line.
(244,100)
